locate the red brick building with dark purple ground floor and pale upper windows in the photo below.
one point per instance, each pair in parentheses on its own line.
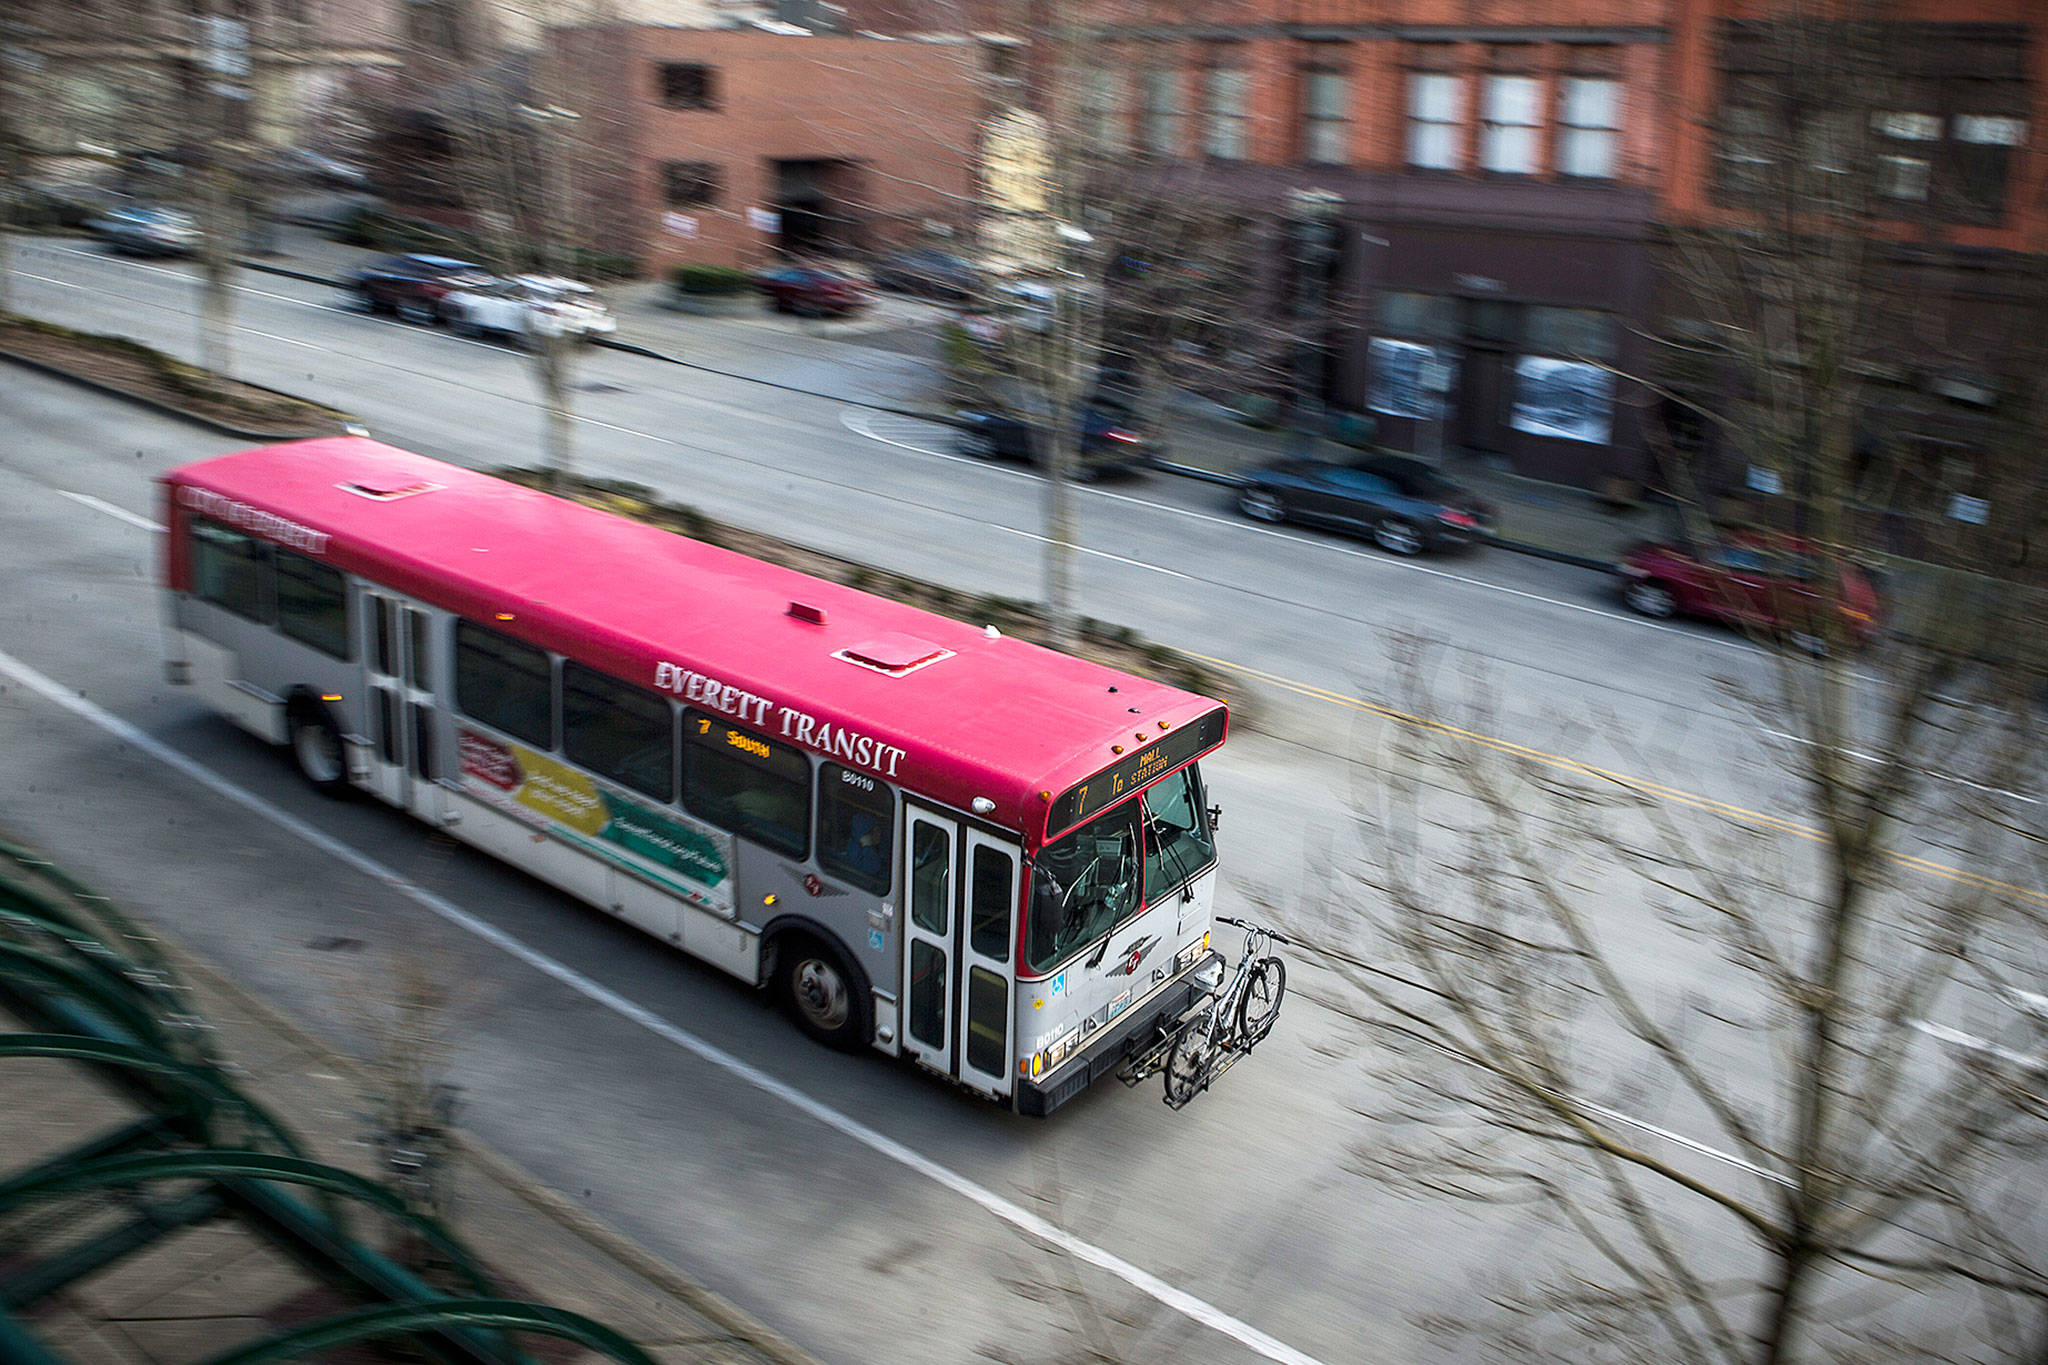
(1496,177)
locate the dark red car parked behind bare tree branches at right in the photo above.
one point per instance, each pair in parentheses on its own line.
(1754,582)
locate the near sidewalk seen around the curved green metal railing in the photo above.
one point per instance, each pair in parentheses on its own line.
(196,1292)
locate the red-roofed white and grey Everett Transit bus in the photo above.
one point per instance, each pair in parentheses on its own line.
(927,838)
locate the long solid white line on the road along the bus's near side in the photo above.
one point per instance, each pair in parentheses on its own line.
(1021,1219)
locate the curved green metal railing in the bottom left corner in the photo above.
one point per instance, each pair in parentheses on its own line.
(97,992)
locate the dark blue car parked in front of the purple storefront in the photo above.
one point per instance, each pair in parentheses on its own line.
(1402,502)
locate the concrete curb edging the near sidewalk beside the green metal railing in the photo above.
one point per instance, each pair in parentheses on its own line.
(577,1223)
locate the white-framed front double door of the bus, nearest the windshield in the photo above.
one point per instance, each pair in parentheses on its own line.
(957,938)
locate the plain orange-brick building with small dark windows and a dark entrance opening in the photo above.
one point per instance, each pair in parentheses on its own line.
(732,146)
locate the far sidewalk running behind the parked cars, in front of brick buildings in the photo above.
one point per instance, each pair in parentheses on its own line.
(886,359)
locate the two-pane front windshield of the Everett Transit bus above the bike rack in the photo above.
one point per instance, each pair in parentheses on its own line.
(1095,879)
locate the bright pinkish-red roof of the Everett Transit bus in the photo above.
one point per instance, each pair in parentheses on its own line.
(949,711)
